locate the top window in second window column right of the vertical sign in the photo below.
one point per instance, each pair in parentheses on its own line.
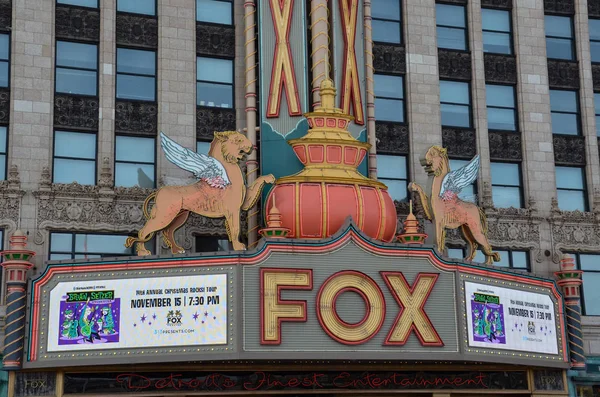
(451,26)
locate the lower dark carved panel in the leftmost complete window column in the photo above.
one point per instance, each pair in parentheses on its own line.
(76,111)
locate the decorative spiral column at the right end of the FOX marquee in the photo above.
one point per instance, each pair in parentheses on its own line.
(569,279)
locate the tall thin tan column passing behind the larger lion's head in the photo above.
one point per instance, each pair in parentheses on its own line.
(251,163)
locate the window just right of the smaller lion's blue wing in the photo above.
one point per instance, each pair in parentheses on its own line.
(506,185)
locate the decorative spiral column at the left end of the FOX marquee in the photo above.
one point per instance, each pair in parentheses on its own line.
(16,264)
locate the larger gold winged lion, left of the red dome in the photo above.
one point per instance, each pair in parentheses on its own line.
(219,191)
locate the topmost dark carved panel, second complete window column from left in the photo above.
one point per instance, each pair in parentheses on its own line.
(137,30)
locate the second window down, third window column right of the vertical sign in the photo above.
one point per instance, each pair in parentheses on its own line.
(502,113)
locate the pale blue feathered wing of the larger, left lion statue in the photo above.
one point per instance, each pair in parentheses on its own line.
(202,166)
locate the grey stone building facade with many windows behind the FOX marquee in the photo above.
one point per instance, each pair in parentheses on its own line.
(87,85)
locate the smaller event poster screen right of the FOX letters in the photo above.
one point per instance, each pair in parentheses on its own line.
(503,318)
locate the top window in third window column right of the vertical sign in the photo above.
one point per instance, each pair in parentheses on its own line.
(496,31)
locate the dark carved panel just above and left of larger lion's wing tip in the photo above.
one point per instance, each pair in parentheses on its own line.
(136,117)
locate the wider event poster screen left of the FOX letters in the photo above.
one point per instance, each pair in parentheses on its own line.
(131,313)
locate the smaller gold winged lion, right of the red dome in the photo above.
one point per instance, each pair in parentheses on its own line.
(446,210)
